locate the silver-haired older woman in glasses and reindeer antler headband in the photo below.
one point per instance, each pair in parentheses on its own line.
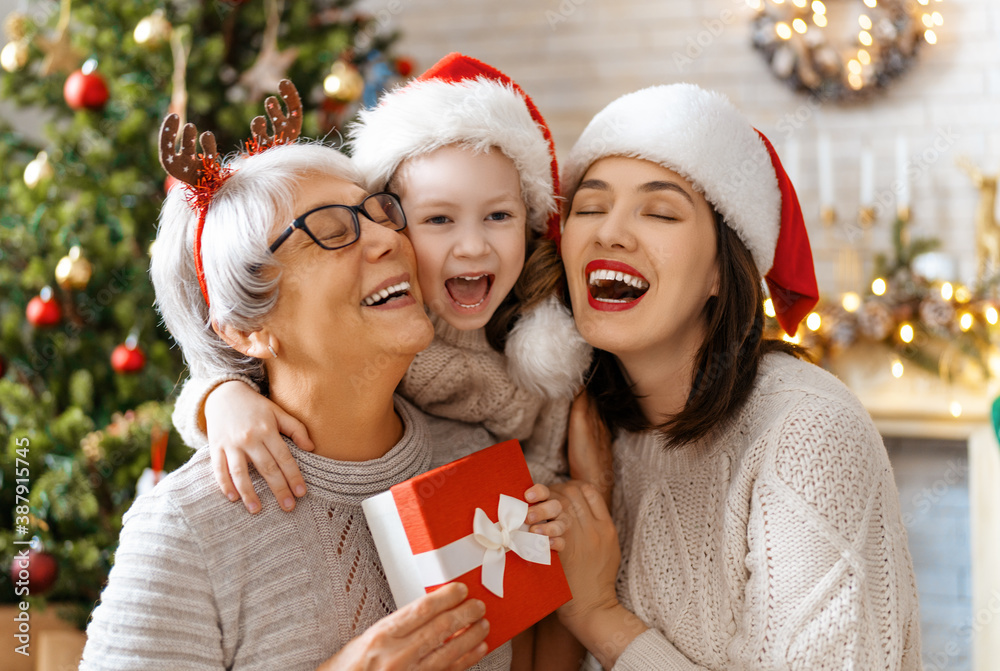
(311,292)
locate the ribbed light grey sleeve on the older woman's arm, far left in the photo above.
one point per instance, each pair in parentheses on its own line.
(149,617)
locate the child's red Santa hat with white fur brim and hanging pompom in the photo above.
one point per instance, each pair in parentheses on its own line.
(463,101)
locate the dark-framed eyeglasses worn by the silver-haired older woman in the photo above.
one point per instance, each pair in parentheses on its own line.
(337,226)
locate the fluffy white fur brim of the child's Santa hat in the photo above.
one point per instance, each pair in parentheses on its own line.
(479,113)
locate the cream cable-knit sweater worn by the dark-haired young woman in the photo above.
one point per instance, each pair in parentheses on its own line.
(775,544)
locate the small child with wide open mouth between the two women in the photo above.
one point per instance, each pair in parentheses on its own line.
(474,165)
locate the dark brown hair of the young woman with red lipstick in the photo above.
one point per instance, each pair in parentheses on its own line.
(726,363)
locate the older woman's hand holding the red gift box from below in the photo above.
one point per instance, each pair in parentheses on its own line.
(442,631)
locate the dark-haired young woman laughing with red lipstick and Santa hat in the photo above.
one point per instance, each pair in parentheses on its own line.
(755,523)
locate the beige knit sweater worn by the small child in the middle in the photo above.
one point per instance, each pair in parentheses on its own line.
(459,376)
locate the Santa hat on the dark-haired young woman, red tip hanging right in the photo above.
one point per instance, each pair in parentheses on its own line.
(700,135)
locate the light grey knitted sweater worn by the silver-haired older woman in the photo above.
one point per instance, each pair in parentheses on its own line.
(200,584)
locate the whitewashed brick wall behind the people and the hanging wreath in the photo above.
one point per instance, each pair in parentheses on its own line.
(575,56)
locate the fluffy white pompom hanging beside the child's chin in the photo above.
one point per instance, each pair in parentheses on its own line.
(545,353)
